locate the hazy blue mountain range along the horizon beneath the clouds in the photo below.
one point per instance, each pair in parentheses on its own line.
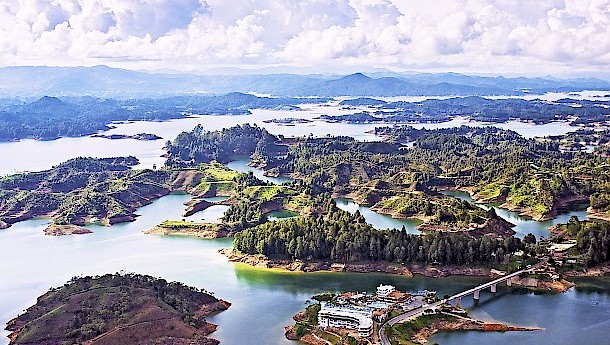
(103,81)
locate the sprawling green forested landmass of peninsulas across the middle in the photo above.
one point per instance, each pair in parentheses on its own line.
(496,166)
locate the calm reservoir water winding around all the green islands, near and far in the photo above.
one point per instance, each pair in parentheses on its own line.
(263,300)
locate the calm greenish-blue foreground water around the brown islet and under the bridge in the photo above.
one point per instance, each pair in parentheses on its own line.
(265,300)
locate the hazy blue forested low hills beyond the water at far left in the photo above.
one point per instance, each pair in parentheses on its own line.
(50,118)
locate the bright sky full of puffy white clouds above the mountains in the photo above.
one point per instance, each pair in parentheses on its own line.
(560,37)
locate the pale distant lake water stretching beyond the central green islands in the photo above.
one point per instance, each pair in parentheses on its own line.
(32,155)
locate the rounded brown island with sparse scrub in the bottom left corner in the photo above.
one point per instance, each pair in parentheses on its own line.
(118,309)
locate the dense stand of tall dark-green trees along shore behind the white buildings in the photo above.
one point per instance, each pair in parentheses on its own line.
(344,237)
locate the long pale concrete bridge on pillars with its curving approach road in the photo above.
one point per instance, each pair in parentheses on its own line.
(475,291)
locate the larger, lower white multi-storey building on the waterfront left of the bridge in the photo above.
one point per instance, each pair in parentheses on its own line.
(349,317)
